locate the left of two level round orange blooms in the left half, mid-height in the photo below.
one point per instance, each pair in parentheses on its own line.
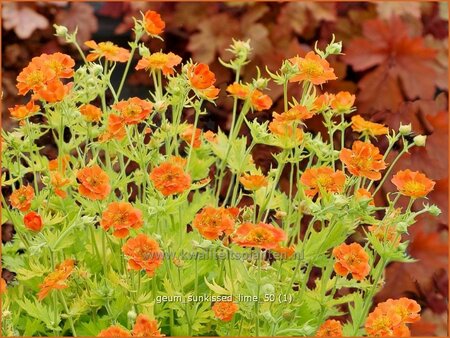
(94,183)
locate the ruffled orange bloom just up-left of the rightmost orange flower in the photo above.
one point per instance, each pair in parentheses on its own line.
(363,160)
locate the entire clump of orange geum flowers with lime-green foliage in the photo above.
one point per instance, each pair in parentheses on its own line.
(145,209)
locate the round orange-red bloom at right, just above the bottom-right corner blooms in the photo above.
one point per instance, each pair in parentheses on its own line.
(351,258)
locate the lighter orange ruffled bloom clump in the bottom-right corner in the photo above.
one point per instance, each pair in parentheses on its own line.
(390,318)
